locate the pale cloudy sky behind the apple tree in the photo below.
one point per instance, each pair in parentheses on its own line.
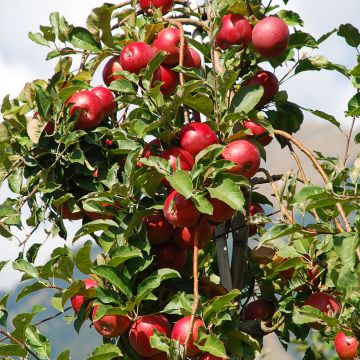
(21,61)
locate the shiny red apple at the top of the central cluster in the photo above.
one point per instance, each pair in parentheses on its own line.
(196,136)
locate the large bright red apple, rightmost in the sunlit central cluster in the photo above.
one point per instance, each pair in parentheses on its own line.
(246,156)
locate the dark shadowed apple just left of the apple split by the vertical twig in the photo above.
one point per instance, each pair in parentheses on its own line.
(159,230)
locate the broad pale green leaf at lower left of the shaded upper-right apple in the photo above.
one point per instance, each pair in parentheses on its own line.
(246,99)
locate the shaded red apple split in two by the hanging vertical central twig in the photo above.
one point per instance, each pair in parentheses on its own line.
(184,237)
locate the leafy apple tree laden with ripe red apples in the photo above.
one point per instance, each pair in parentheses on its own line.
(162,168)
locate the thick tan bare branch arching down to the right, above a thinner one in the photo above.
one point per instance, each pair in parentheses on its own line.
(322,173)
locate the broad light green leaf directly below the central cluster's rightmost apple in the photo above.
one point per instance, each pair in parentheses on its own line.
(229,192)
